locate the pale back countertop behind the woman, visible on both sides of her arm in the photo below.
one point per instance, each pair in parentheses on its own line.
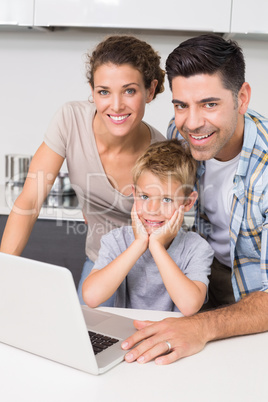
(8,196)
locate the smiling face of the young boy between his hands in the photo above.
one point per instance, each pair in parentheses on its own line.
(156,201)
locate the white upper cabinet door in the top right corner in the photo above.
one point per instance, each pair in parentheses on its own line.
(249,16)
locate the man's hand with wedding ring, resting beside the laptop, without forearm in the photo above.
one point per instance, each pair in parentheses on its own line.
(184,334)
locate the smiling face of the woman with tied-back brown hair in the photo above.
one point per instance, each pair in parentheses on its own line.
(120,98)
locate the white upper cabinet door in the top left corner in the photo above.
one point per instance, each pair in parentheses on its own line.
(17,12)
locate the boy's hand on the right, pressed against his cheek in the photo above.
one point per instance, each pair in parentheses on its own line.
(167,232)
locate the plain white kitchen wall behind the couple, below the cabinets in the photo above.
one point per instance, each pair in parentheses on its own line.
(40,70)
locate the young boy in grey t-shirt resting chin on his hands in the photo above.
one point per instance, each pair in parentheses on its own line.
(155,264)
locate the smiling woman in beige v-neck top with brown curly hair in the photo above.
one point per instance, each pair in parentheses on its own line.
(100,139)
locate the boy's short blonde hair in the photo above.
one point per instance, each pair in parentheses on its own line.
(168,159)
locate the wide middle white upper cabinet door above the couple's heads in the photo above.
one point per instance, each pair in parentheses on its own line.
(190,15)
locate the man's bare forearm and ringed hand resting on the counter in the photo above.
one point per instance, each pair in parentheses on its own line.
(189,335)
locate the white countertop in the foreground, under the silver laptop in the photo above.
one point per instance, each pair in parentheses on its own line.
(228,370)
